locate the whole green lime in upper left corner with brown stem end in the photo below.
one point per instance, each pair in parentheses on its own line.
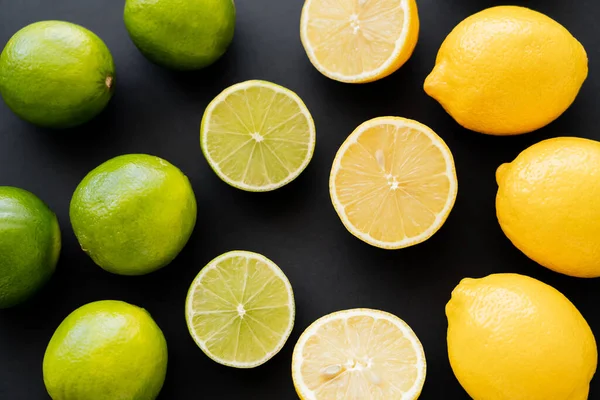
(56,74)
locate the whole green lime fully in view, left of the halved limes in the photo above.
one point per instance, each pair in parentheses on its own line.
(133,214)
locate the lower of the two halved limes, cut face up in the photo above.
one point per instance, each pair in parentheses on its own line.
(240,309)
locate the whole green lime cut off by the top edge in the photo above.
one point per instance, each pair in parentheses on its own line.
(181,34)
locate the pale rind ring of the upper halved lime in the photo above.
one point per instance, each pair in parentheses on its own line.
(214,164)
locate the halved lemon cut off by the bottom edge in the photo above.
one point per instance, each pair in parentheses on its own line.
(359,354)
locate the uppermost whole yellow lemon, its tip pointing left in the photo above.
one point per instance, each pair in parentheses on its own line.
(507,70)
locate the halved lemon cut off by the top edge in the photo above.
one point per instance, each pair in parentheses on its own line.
(359,41)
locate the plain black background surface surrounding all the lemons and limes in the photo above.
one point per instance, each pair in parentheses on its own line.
(158,112)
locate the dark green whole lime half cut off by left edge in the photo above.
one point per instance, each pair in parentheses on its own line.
(29,245)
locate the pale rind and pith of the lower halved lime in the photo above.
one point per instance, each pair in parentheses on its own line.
(190,311)
